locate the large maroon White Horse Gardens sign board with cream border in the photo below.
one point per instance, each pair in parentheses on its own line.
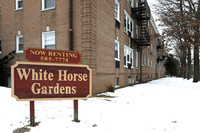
(45,81)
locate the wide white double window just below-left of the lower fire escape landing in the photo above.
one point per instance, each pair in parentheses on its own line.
(128,57)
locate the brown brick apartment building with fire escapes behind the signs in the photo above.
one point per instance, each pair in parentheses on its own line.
(116,38)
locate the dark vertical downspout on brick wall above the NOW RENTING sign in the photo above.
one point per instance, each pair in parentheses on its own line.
(71,45)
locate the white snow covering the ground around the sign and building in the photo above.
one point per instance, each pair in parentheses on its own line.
(168,105)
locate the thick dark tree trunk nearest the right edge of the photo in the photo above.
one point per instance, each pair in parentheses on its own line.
(196,64)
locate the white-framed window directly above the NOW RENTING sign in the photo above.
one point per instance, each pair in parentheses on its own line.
(48,40)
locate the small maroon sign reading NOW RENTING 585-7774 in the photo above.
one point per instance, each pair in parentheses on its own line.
(55,56)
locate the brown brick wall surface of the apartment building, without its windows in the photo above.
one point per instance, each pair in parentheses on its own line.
(94,36)
